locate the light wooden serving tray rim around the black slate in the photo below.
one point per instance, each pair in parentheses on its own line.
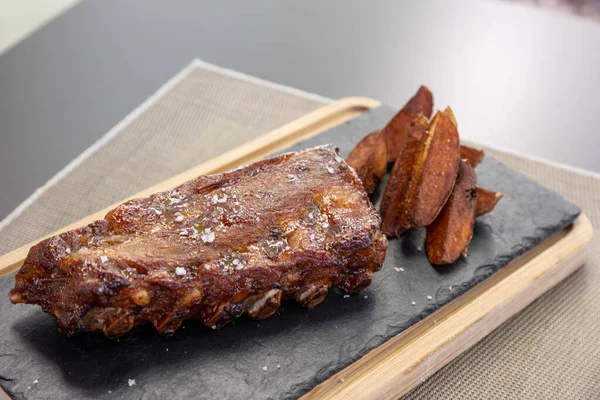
(399,364)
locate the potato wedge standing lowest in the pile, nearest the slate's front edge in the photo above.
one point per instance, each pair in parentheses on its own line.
(450,233)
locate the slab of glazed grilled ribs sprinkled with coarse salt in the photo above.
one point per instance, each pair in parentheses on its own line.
(289,227)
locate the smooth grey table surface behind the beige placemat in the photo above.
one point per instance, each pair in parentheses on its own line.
(517,77)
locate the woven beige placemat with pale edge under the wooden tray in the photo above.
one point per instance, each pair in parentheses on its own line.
(550,350)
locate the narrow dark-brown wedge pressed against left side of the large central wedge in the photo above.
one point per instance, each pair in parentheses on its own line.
(395,204)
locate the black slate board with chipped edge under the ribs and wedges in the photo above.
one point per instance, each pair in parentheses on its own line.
(299,348)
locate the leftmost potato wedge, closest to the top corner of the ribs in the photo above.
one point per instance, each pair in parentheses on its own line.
(369,160)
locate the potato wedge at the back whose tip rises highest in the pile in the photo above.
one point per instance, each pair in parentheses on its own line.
(396,131)
